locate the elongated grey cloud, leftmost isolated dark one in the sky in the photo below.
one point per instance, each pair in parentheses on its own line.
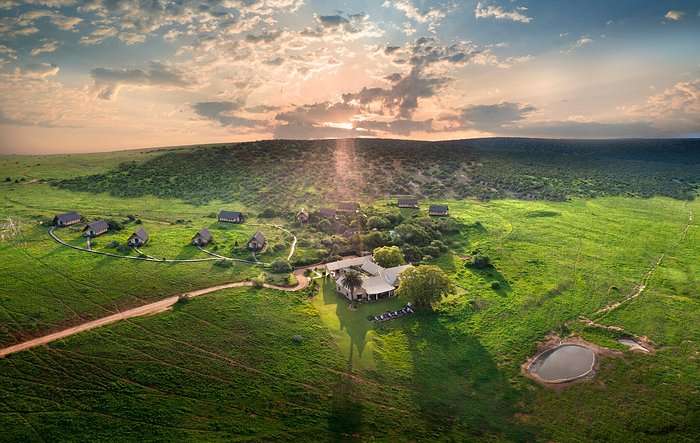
(108,81)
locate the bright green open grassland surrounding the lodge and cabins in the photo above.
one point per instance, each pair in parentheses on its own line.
(225,366)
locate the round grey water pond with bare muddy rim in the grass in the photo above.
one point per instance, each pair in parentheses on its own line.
(563,363)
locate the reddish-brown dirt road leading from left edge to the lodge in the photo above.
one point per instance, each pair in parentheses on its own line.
(148,309)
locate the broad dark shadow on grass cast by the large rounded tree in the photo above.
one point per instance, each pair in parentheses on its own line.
(457,386)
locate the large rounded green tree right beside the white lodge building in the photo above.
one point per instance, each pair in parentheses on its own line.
(424,285)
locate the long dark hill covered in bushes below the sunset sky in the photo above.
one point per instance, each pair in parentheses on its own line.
(287,173)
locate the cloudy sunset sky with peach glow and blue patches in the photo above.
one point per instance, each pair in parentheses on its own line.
(116,74)
